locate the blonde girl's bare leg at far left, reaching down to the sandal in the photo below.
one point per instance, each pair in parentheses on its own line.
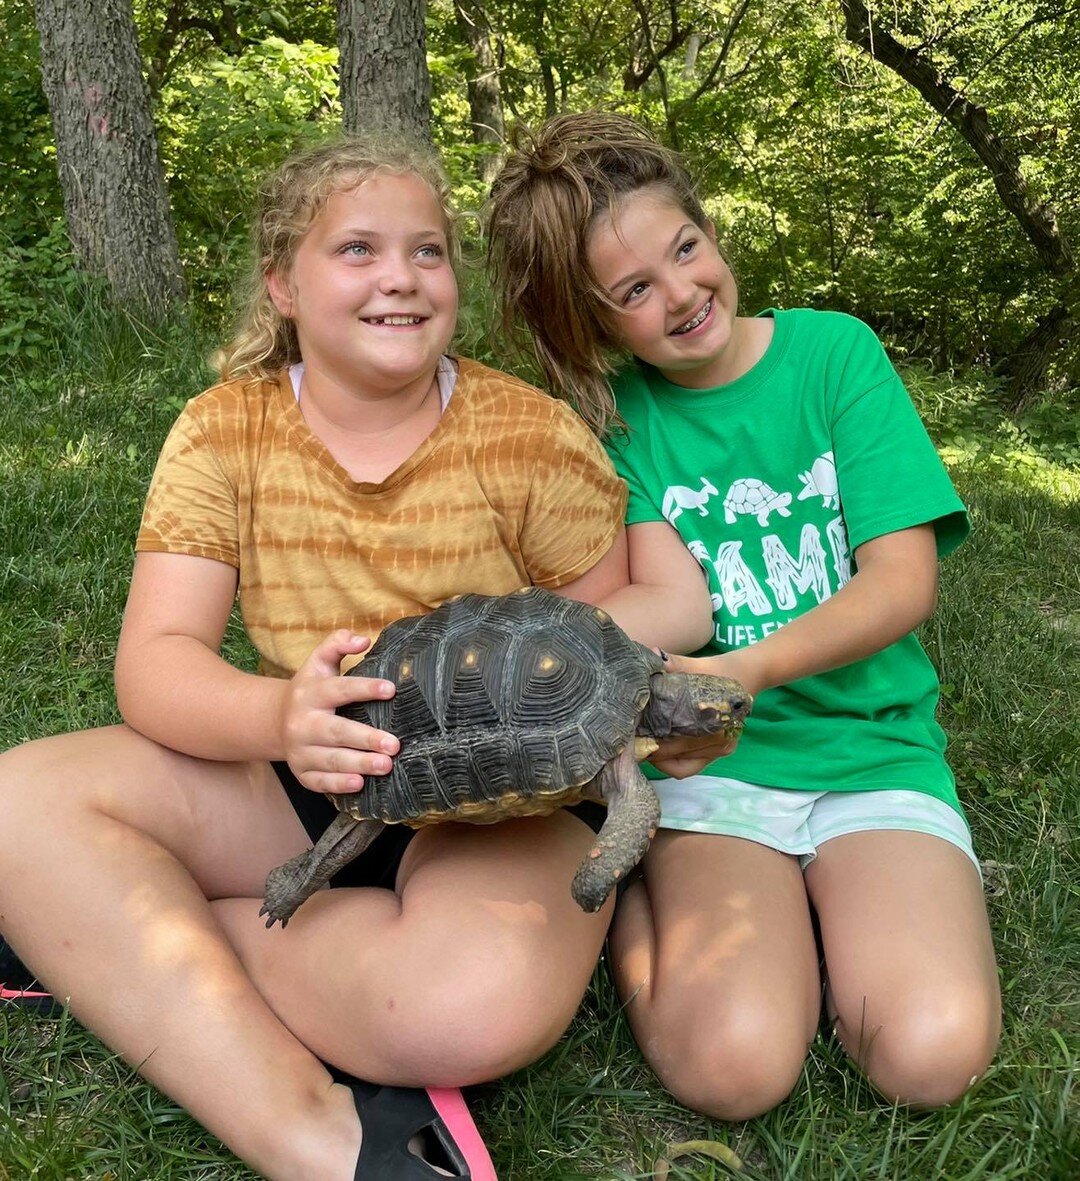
(93,831)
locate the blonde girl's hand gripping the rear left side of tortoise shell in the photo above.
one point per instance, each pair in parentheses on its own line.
(327,752)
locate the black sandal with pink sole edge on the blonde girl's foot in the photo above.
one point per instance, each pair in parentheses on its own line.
(395,1118)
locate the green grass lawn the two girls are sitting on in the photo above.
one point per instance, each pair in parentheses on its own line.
(79,436)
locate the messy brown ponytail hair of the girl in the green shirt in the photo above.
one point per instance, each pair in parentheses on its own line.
(554,186)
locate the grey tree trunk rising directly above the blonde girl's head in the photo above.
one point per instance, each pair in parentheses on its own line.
(383,68)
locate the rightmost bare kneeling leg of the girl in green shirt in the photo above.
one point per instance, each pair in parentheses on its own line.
(913,984)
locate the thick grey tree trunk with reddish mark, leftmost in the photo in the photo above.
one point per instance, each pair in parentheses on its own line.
(107,153)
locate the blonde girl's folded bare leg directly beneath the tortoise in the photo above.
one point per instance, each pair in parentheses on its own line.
(483,943)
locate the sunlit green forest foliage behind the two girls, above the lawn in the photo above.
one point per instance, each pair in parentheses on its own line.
(831,180)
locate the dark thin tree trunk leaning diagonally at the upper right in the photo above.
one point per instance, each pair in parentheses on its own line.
(1026,367)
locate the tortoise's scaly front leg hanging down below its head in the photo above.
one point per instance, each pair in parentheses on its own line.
(634,813)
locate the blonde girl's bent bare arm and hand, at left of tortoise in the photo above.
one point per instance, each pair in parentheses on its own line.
(173,687)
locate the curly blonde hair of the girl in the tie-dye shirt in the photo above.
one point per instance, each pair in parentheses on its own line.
(290,200)
